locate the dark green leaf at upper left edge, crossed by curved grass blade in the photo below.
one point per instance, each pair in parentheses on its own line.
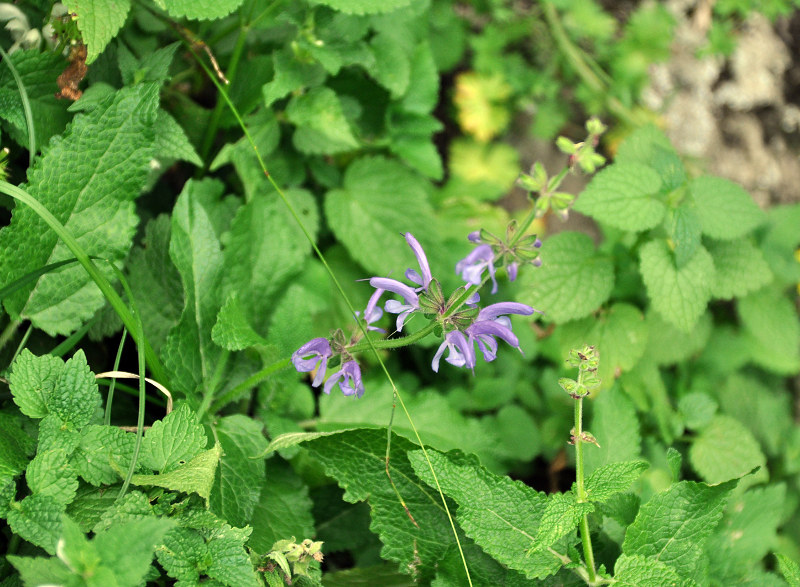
(38,71)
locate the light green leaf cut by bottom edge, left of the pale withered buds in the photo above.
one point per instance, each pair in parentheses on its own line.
(127,549)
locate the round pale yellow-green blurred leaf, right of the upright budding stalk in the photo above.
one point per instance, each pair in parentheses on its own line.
(725,450)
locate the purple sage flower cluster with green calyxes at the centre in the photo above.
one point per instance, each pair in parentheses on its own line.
(464,325)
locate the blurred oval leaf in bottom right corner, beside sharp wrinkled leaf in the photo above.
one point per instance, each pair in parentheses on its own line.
(747,532)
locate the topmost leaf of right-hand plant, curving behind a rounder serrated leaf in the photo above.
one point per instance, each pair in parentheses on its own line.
(650,146)
